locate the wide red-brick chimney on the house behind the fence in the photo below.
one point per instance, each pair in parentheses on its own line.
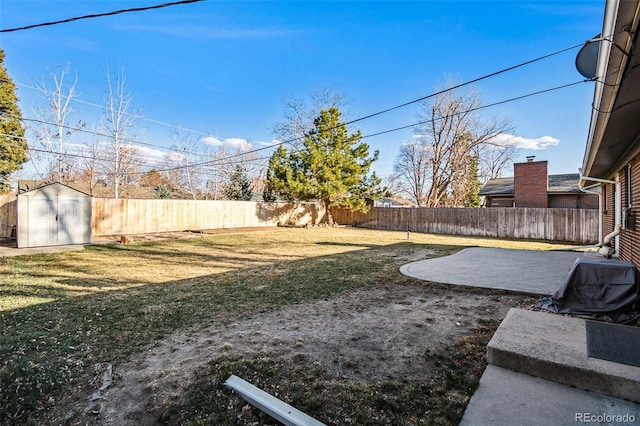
(530,184)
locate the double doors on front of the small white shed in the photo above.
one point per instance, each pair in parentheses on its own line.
(55,221)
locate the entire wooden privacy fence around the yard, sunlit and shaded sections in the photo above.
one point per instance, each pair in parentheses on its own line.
(130,216)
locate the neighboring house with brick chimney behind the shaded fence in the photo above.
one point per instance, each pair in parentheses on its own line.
(531,186)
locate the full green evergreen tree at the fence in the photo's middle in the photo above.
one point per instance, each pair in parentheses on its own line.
(332,166)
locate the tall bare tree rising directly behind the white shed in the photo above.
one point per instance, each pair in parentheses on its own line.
(53,129)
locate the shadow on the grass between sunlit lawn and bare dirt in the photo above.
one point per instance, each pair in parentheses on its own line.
(49,347)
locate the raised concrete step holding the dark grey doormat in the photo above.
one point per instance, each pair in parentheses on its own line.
(554,347)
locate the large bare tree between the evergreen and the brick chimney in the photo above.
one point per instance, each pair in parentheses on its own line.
(434,168)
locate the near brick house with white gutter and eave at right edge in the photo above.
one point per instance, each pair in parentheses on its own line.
(611,162)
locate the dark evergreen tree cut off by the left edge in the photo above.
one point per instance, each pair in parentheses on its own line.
(13,149)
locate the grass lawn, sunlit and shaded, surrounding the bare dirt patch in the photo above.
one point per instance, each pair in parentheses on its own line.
(62,313)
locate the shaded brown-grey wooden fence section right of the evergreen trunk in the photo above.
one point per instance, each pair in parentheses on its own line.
(566,225)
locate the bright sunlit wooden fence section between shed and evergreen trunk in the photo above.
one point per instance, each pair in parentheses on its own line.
(132,216)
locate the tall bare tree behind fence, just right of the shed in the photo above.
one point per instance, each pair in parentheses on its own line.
(121,162)
